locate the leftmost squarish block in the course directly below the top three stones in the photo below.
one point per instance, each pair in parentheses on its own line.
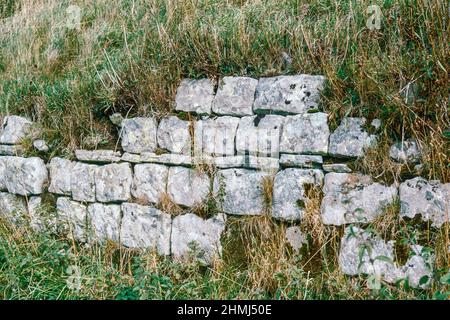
(139,135)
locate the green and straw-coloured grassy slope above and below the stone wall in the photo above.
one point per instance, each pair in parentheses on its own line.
(129,56)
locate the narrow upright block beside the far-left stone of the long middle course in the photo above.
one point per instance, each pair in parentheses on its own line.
(60,176)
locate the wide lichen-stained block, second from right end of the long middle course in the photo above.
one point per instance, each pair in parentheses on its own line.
(353,198)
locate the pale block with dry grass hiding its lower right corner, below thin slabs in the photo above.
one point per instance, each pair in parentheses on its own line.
(289,197)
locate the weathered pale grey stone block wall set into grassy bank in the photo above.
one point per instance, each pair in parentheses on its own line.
(243,135)
